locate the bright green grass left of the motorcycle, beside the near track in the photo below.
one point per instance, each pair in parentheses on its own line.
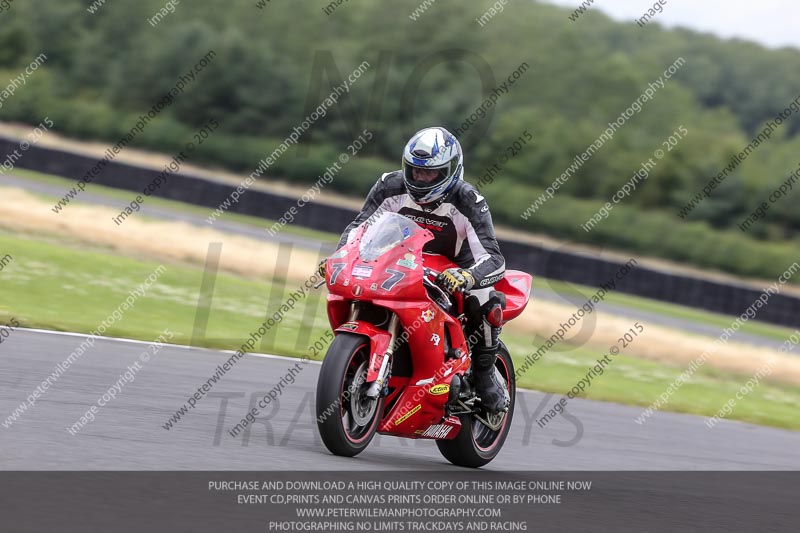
(68,288)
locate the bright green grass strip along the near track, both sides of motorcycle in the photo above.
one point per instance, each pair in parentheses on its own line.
(59,285)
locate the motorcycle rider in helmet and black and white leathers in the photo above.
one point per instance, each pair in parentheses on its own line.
(430,190)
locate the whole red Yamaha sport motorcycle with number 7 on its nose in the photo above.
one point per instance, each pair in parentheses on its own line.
(400,362)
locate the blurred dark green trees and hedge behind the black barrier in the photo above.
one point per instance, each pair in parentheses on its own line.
(273,66)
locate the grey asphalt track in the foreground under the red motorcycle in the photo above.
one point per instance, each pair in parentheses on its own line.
(127,433)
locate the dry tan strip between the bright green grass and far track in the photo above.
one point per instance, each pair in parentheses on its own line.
(250,258)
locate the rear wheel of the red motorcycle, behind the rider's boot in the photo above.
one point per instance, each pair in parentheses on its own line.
(477,444)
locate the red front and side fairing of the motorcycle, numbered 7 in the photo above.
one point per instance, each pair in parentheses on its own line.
(392,279)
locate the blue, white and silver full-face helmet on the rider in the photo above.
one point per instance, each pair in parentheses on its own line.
(432,149)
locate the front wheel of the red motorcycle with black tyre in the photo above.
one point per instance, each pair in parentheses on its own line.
(346,420)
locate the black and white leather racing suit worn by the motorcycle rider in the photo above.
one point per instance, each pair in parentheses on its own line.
(463,231)
